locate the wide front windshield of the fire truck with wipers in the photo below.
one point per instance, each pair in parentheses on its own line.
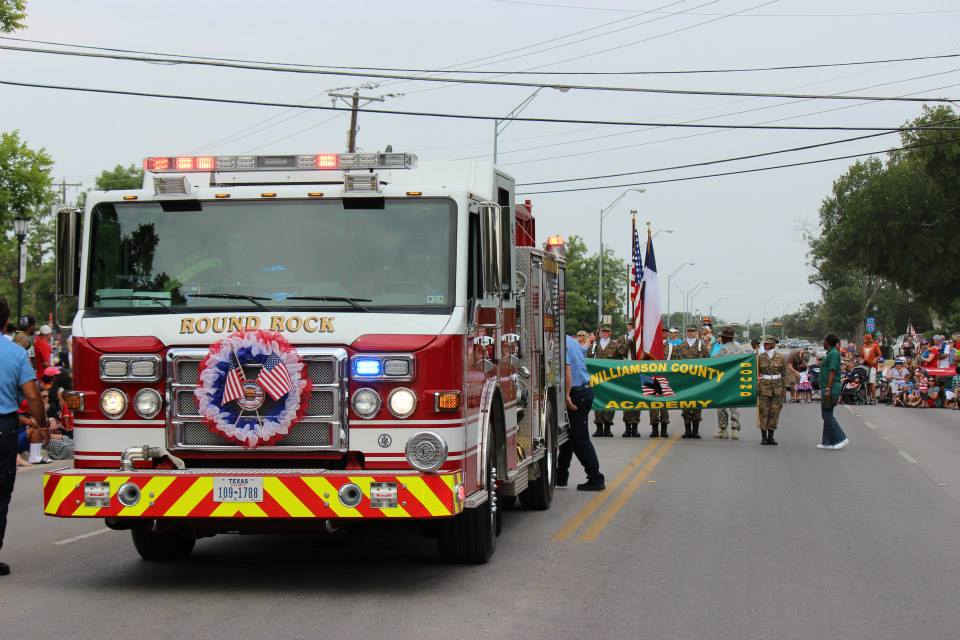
(151,257)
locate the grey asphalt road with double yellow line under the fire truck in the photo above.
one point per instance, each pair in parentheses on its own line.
(707,539)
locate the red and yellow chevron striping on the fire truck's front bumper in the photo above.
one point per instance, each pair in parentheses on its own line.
(172,494)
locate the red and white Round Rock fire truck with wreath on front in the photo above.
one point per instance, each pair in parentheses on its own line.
(285,343)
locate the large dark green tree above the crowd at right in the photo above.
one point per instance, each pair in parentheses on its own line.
(886,230)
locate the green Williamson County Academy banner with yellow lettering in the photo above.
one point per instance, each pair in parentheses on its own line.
(710,383)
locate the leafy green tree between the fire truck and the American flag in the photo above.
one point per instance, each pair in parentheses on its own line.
(582,276)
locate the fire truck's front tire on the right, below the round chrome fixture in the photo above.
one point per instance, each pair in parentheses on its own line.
(471,537)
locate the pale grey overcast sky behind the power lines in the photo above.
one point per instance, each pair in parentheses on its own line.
(745,233)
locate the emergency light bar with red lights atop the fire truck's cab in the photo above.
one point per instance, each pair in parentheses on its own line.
(320,161)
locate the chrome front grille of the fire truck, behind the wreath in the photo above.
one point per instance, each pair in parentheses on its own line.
(323,426)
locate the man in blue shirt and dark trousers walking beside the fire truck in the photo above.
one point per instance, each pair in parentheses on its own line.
(579,400)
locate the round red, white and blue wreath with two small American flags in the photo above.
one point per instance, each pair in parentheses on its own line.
(252,411)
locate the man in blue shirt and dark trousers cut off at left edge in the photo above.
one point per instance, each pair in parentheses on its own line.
(16,378)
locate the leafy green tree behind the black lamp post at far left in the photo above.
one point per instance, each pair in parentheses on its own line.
(25,190)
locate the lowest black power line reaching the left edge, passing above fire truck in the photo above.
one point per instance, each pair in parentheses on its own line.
(458,116)
